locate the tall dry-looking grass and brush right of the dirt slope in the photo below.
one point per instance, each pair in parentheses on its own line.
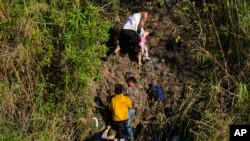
(219,42)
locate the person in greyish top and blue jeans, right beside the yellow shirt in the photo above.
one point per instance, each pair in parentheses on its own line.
(133,94)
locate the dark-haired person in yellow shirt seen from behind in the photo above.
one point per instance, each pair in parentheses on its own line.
(119,106)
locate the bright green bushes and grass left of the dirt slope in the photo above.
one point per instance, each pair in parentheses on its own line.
(50,53)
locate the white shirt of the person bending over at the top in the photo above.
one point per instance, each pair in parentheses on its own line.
(132,22)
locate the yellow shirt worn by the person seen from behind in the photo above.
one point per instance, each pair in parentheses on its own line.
(119,106)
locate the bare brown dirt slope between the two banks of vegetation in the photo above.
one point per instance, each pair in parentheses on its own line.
(174,74)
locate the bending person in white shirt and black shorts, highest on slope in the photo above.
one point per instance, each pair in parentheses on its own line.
(129,40)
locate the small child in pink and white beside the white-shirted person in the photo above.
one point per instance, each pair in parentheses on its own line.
(143,54)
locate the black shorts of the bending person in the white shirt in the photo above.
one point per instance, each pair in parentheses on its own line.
(129,41)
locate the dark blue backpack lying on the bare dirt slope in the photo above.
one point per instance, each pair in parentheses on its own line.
(155,92)
